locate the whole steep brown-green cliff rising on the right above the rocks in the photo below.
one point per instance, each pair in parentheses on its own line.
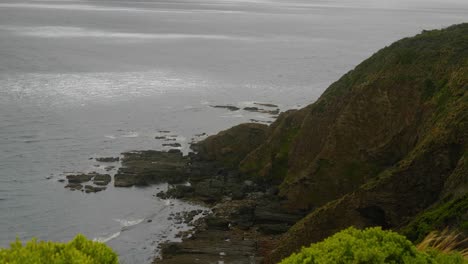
(385,145)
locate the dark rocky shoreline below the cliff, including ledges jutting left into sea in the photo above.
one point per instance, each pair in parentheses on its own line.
(245,217)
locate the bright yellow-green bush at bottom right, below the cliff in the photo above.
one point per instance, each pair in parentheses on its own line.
(372,245)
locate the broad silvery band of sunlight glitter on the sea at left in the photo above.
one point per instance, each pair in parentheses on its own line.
(81,88)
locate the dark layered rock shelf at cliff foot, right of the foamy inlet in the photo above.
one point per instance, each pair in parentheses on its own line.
(246,221)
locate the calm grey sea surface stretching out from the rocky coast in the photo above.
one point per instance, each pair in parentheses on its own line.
(83,79)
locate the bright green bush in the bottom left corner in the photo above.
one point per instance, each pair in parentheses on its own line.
(78,251)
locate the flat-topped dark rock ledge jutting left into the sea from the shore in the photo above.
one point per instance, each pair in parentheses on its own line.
(142,168)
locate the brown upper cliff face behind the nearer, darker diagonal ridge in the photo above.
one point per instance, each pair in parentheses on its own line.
(366,122)
